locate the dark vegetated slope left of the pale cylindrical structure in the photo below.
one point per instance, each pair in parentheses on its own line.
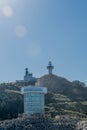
(10,102)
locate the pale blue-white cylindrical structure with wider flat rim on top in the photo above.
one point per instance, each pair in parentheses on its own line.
(34,99)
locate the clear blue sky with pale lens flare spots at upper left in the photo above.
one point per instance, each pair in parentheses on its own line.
(34,32)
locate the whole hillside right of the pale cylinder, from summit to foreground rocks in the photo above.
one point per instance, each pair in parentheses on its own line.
(64,96)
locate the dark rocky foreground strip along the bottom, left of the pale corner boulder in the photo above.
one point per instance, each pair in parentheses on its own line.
(37,123)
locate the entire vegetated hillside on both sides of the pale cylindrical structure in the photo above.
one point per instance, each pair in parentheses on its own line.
(64,97)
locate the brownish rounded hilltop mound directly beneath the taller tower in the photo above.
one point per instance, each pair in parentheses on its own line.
(54,83)
